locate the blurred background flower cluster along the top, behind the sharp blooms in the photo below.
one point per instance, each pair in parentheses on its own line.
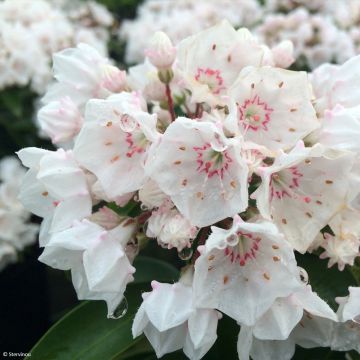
(332,35)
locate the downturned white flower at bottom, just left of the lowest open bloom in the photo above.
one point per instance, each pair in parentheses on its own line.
(170,322)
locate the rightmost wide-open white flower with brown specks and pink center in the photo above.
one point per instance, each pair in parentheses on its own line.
(298,205)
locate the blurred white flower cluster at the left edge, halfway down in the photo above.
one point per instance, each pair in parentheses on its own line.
(16,231)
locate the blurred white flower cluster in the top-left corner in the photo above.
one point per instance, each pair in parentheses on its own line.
(31,31)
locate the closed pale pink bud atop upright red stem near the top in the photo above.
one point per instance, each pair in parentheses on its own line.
(161,51)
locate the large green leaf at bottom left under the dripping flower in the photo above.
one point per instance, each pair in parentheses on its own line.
(86,333)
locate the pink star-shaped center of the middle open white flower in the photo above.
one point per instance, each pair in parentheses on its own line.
(212,162)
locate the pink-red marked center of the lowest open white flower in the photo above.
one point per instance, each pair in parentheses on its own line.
(245,250)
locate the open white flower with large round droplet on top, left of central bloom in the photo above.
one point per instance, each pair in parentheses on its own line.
(118,132)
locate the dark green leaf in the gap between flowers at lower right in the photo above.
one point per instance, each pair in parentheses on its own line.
(327,282)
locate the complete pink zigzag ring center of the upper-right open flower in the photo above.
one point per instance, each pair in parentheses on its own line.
(254,114)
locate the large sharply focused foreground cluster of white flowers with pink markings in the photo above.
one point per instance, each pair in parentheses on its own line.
(221,155)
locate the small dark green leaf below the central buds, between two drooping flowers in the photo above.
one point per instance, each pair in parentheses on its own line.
(148,269)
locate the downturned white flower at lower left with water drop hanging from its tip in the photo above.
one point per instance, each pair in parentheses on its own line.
(99,266)
